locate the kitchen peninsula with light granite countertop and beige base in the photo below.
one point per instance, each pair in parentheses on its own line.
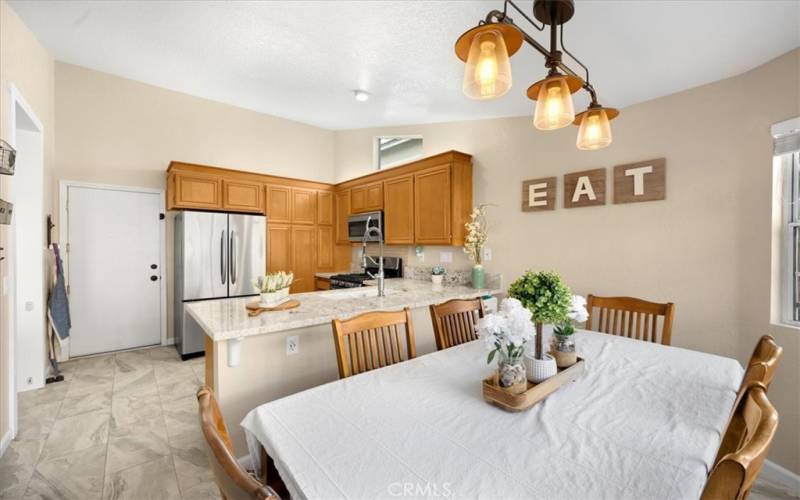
(265,370)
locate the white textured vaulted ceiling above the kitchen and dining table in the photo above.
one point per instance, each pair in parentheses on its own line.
(302,59)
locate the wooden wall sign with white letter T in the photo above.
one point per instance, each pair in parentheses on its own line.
(641,181)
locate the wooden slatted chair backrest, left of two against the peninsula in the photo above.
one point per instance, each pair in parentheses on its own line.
(373,340)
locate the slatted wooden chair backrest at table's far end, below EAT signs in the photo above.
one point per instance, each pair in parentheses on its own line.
(631,317)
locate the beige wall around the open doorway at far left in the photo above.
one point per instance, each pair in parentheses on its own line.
(27,65)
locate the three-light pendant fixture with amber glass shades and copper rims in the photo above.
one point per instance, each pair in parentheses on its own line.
(486,50)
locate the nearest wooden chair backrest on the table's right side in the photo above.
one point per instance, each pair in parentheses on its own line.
(749,433)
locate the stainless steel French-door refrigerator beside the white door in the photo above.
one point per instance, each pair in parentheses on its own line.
(217,256)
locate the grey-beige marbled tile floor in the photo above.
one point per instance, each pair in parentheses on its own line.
(124,426)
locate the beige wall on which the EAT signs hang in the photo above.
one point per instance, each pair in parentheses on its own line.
(707,247)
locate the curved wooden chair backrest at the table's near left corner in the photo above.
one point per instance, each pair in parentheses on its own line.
(233,481)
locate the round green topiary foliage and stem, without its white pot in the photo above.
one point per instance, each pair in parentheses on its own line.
(547,299)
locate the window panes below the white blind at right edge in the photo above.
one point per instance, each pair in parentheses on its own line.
(791,164)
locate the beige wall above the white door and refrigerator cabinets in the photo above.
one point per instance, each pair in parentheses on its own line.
(116,131)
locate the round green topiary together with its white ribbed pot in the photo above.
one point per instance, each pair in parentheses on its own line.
(548,300)
